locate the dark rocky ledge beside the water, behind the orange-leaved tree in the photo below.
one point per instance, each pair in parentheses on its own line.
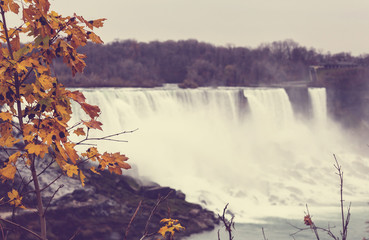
(104,207)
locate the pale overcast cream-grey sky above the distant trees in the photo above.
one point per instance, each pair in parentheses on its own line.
(327,25)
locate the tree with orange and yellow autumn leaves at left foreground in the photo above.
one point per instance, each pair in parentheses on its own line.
(36,109)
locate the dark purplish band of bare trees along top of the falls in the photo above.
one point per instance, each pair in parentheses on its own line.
(190,63)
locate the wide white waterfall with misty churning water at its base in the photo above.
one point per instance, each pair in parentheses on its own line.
(242,146)
